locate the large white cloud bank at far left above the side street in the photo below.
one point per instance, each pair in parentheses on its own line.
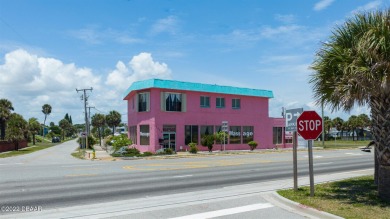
(29,81)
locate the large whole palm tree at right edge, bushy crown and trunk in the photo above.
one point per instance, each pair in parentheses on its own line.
(352,67)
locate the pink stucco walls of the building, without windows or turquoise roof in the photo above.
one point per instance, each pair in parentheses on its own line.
(253,112)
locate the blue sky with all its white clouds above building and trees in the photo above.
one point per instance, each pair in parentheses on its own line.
(50,48)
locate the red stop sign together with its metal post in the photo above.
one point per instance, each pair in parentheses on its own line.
(309,126)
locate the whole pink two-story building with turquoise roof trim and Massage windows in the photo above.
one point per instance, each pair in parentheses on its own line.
(172,114)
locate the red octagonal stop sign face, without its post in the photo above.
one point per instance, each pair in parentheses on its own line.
(309,125)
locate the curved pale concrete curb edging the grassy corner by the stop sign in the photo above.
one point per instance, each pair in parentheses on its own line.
(297,208)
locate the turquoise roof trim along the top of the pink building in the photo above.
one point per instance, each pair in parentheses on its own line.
(189,86)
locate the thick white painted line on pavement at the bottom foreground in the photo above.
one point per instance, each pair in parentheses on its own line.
(229,211)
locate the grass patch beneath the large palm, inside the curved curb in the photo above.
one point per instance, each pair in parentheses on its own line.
(350,198)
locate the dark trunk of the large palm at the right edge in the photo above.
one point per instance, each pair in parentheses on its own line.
(380,113)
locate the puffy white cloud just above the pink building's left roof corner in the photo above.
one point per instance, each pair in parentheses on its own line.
(140,67)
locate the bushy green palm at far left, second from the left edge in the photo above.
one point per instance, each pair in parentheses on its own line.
(17,129)
